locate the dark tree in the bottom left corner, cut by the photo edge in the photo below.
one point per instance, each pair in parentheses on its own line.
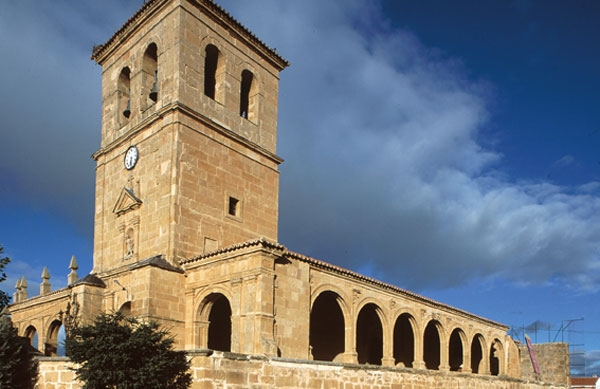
(18,368)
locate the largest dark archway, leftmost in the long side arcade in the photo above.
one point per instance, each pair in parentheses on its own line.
(327,328)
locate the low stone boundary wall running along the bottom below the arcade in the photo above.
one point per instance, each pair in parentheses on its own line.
(227,370)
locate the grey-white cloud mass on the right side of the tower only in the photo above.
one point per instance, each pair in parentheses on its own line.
(384,166)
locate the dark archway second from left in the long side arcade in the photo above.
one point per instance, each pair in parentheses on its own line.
(369,335)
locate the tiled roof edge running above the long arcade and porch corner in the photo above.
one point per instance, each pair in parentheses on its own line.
(284,252)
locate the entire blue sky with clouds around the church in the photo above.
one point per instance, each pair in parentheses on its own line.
(446,147)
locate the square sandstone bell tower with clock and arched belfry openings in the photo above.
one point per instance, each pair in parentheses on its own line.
(188,161)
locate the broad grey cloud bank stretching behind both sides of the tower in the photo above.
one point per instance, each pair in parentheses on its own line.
(384,171)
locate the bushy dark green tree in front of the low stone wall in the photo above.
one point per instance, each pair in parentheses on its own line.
(120,352)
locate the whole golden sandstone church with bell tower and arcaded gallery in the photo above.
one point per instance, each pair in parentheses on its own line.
(185,233)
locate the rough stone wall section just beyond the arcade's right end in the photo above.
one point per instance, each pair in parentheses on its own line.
(553,360)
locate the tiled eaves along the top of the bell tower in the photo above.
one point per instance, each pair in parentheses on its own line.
(210,5)
